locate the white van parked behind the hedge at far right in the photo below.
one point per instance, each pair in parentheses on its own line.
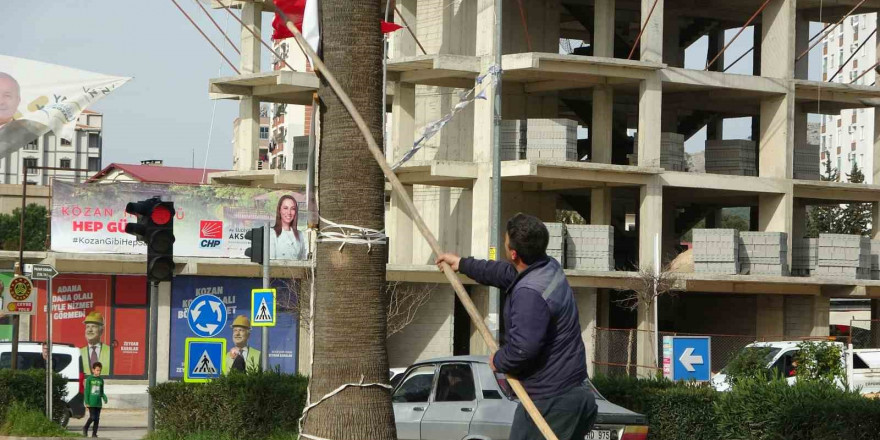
(862,366)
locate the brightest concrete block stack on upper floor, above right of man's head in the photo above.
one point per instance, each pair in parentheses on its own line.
(551,139)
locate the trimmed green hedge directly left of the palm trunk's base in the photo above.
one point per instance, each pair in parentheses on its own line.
(262,403)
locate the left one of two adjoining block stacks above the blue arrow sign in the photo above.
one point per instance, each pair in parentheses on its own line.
(716,251)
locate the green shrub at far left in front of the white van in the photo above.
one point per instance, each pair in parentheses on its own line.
(28,388)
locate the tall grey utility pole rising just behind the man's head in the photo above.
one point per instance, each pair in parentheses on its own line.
(494,292)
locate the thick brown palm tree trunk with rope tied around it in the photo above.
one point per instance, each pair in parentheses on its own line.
(350,310)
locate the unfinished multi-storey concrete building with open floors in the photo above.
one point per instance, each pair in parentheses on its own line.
(628,87)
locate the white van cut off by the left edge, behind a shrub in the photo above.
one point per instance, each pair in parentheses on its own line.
(65,361)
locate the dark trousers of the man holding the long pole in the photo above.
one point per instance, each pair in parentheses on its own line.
(570,415)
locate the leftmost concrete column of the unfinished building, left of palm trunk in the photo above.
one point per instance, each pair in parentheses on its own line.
(247,140)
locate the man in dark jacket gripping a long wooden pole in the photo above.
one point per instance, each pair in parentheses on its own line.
(542,344)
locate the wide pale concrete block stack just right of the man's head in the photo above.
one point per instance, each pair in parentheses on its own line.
(589,247)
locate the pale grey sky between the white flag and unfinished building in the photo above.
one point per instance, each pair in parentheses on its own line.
(164,112)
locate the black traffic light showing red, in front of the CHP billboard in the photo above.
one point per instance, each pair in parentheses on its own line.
(155,227)
